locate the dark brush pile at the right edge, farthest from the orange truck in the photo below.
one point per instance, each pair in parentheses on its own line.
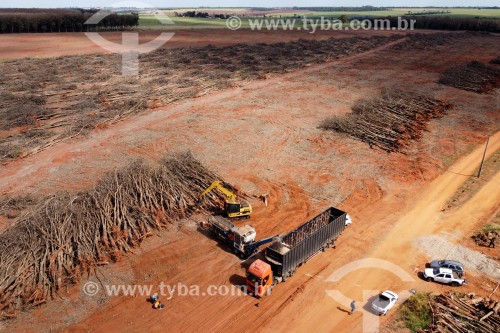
(474,76)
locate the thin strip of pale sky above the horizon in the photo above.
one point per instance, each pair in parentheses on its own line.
(246,3)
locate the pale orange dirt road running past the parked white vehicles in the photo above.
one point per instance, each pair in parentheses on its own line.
(424,217)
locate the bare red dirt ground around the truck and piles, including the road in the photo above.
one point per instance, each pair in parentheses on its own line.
(264,138)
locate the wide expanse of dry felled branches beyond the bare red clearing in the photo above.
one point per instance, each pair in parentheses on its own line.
(45,101)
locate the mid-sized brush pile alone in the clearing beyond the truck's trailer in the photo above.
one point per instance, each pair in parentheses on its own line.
(390,121)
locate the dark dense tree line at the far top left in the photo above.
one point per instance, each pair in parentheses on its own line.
(61,20)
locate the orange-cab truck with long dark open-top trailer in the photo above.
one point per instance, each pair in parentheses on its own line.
(284,256)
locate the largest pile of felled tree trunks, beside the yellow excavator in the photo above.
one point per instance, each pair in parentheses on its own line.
(50,245)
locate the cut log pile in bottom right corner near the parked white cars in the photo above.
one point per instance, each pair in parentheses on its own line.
(460,313)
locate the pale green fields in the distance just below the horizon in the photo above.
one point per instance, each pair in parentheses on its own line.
(149,21)
